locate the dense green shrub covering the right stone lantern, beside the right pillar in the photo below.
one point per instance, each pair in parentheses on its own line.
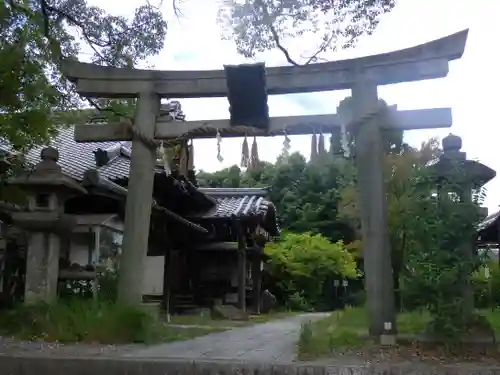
(441,259)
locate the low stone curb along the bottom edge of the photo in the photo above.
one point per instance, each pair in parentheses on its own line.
(25,365)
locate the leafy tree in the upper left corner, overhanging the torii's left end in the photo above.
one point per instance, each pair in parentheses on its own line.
(36,34)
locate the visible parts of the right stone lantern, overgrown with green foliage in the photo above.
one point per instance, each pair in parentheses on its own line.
(471,175)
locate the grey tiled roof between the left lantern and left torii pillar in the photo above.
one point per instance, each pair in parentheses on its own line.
(75,158)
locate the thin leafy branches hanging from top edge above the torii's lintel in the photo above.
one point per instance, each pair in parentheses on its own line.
(262,25)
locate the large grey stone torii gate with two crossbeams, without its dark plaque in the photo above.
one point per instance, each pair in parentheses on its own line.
(361,75)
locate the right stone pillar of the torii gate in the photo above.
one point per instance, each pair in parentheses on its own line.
(379,284)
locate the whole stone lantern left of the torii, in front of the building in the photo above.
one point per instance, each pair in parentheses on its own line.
(47,189)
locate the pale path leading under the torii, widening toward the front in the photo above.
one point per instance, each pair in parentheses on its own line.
(272,341)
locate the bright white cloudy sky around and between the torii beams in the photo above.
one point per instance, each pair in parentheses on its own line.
(194,43)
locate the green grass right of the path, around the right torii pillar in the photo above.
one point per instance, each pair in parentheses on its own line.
(344,331)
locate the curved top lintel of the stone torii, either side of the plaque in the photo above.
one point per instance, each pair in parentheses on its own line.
(426,61)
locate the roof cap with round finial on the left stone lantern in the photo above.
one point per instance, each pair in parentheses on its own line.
(48,173)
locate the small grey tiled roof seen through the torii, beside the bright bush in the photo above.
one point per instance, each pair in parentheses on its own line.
(237,202)
